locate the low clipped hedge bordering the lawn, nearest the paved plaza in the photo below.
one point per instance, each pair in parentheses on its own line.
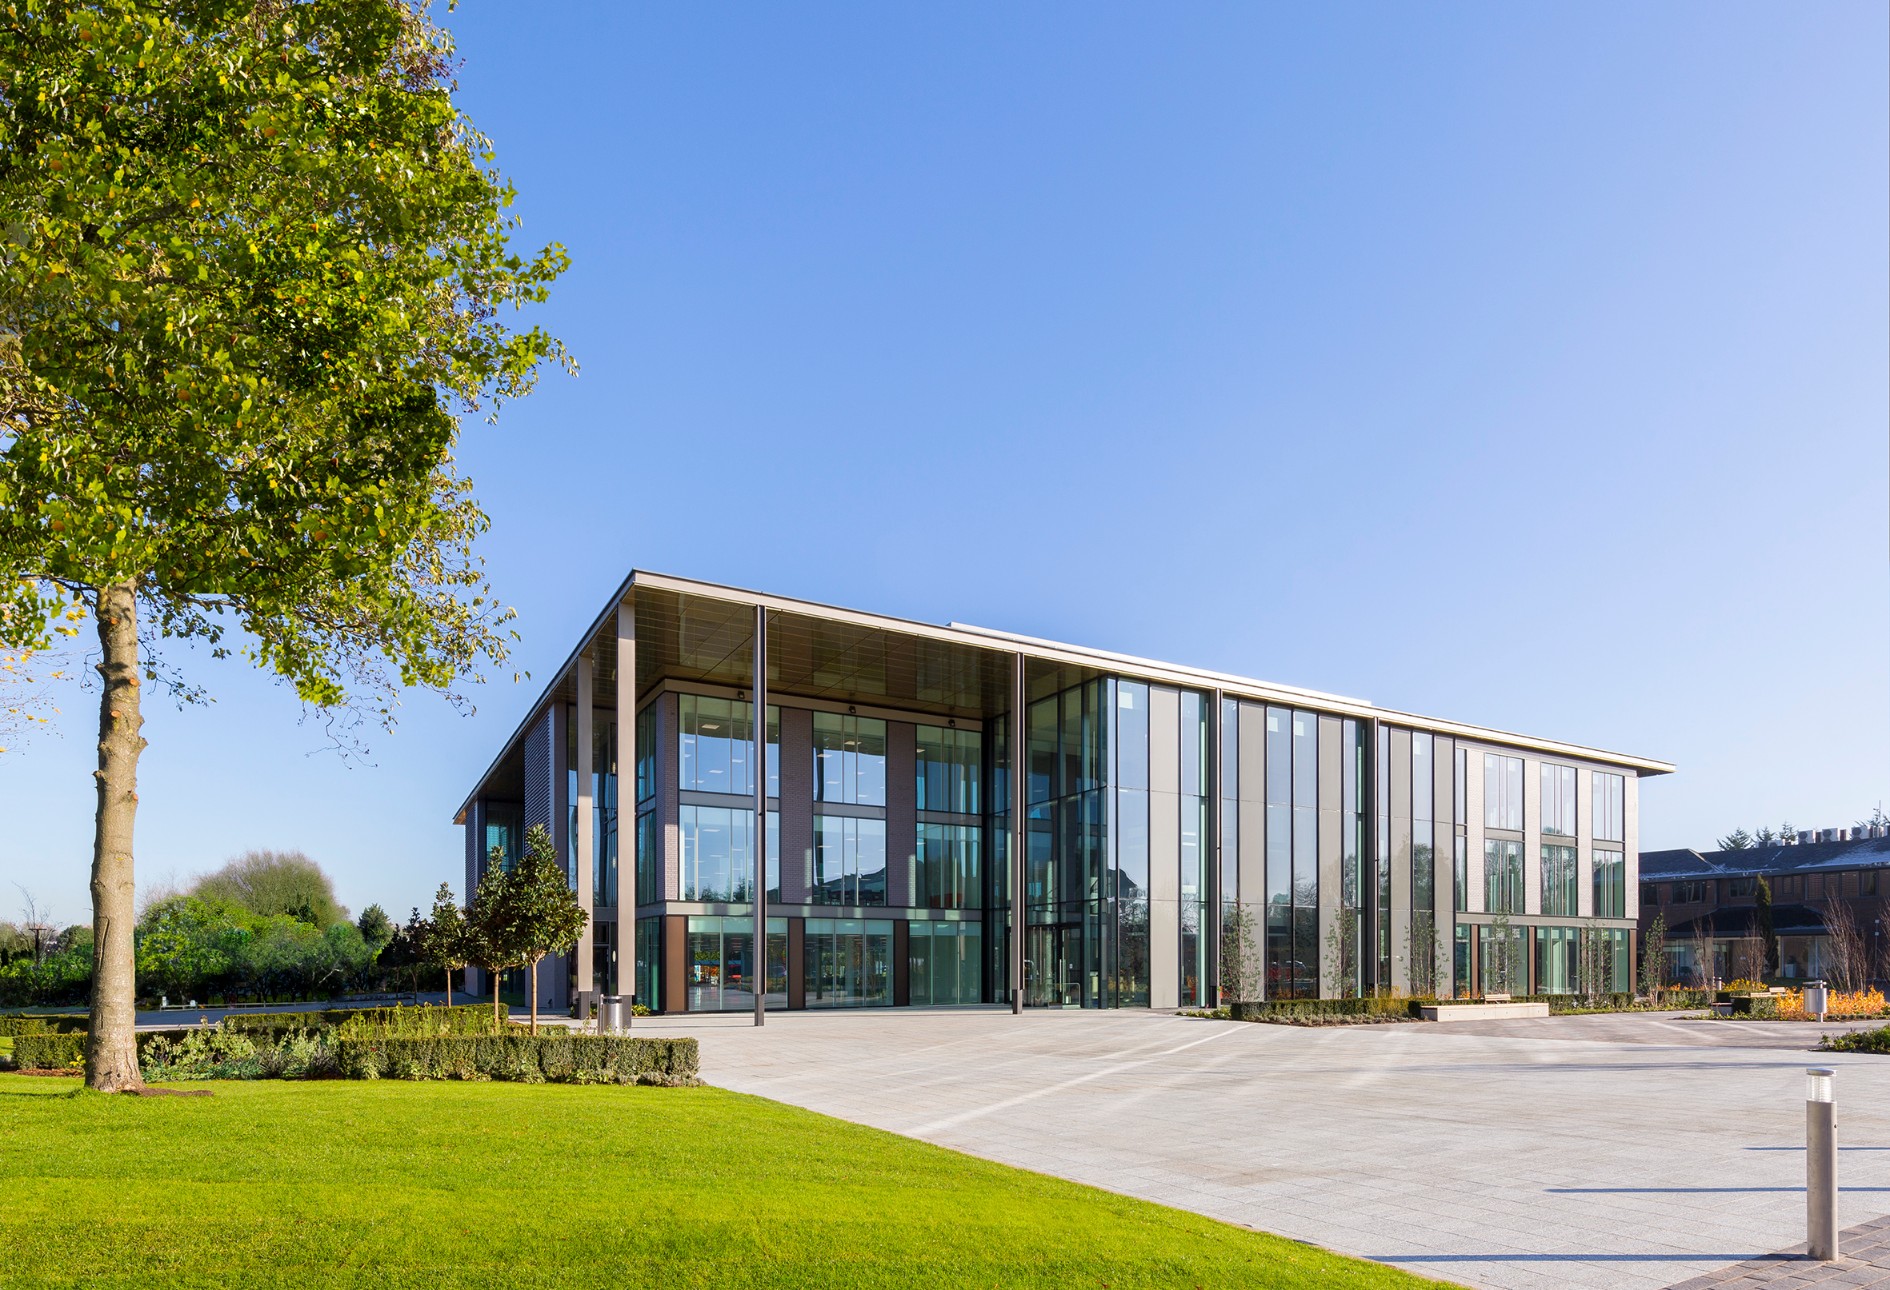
(526,1059)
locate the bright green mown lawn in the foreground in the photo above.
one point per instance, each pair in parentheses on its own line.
(513,1185)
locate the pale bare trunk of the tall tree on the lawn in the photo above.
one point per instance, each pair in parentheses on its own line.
(112,1042)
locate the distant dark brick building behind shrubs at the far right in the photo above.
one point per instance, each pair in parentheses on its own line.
(1821,877)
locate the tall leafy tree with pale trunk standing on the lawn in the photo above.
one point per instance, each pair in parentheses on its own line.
(256,269)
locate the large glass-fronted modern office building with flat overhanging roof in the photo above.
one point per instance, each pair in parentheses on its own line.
(1184,832)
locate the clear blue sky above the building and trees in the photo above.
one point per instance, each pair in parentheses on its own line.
(1521,365)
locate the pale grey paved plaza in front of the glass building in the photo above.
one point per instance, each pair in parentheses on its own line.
(1615,1151)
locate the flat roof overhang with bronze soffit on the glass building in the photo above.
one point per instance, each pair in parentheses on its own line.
(691,630)
